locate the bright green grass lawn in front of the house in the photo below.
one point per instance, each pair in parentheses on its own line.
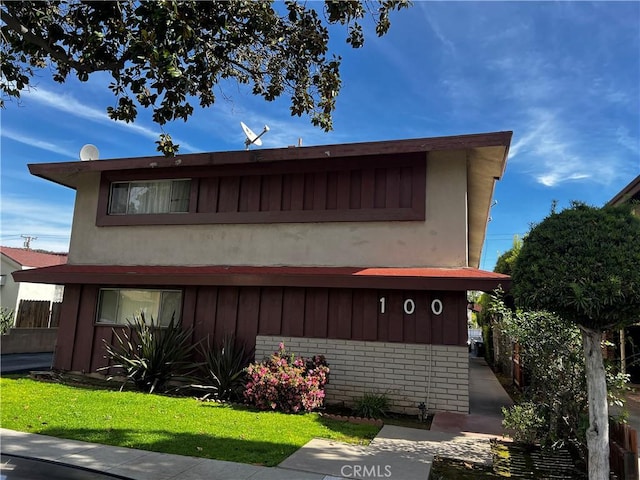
(179,425)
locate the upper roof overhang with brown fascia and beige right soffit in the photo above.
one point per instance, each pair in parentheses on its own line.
(486,159)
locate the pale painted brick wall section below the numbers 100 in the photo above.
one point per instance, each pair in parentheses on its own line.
(400,370)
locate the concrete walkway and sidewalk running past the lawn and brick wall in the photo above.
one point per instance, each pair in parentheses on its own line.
(396,453)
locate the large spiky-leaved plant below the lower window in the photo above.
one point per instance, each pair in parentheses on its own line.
(151,356)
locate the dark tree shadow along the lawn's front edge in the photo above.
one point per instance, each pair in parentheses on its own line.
(195,445)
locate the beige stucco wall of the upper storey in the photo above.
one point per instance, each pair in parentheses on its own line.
(439,241)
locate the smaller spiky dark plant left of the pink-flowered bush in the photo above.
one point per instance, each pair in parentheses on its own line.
(224,369)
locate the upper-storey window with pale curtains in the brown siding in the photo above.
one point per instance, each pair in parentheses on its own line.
(156,196)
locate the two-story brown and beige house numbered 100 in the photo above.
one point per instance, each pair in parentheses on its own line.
(361,252)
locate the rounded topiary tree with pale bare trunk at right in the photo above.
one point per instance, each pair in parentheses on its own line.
(583,264)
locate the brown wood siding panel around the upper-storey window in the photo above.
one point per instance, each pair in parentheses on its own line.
(359,190)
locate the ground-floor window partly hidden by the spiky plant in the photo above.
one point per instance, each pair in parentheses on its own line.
(122,305)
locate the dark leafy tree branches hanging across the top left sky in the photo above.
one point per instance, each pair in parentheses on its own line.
(164,55)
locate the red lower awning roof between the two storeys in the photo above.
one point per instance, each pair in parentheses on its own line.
(337,277)
